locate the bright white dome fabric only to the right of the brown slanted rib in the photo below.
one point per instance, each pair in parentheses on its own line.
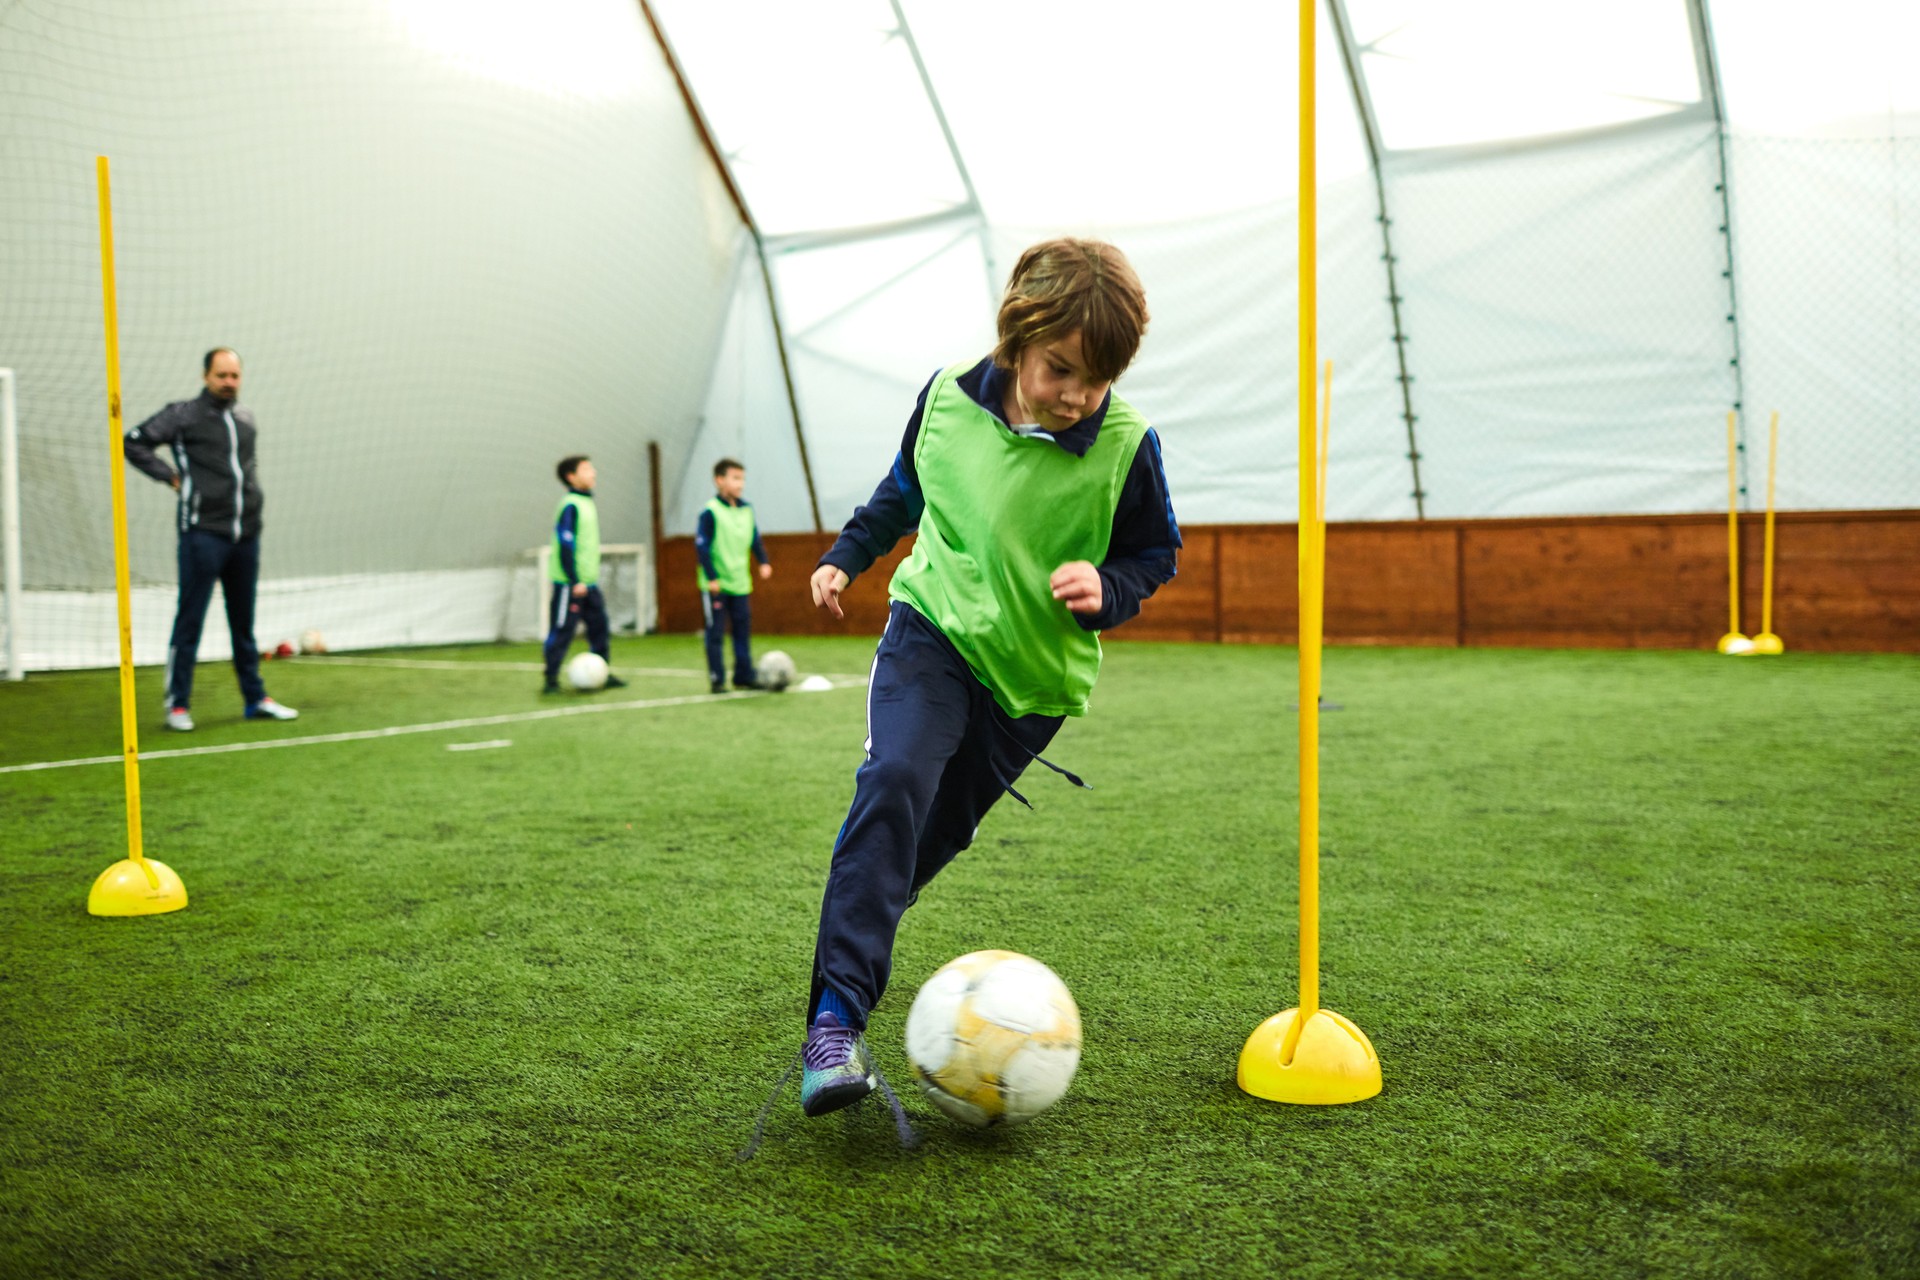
(1579,304)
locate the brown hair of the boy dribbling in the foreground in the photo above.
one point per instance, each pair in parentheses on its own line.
(1074,285)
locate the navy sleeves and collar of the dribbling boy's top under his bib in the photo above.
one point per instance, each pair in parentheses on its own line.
(1140,557)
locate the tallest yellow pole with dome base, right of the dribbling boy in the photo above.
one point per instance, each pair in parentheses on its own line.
(1308,1055)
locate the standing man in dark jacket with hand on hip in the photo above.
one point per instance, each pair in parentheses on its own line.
(212,442)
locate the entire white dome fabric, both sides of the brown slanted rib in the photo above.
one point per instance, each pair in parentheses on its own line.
(460,239)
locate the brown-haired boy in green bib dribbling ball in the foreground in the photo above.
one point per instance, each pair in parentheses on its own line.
(1044,519)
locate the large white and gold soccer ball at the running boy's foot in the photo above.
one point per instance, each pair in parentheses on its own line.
(994,1039)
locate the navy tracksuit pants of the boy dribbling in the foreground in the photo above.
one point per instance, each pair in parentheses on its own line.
(940,751)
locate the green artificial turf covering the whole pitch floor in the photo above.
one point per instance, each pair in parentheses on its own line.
(1633,934)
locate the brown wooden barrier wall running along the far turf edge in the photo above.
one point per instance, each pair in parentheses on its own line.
(1844,582)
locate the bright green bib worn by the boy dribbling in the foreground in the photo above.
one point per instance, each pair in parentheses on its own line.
(1003,513)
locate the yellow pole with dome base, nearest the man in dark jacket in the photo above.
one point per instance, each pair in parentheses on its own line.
(137,886)
